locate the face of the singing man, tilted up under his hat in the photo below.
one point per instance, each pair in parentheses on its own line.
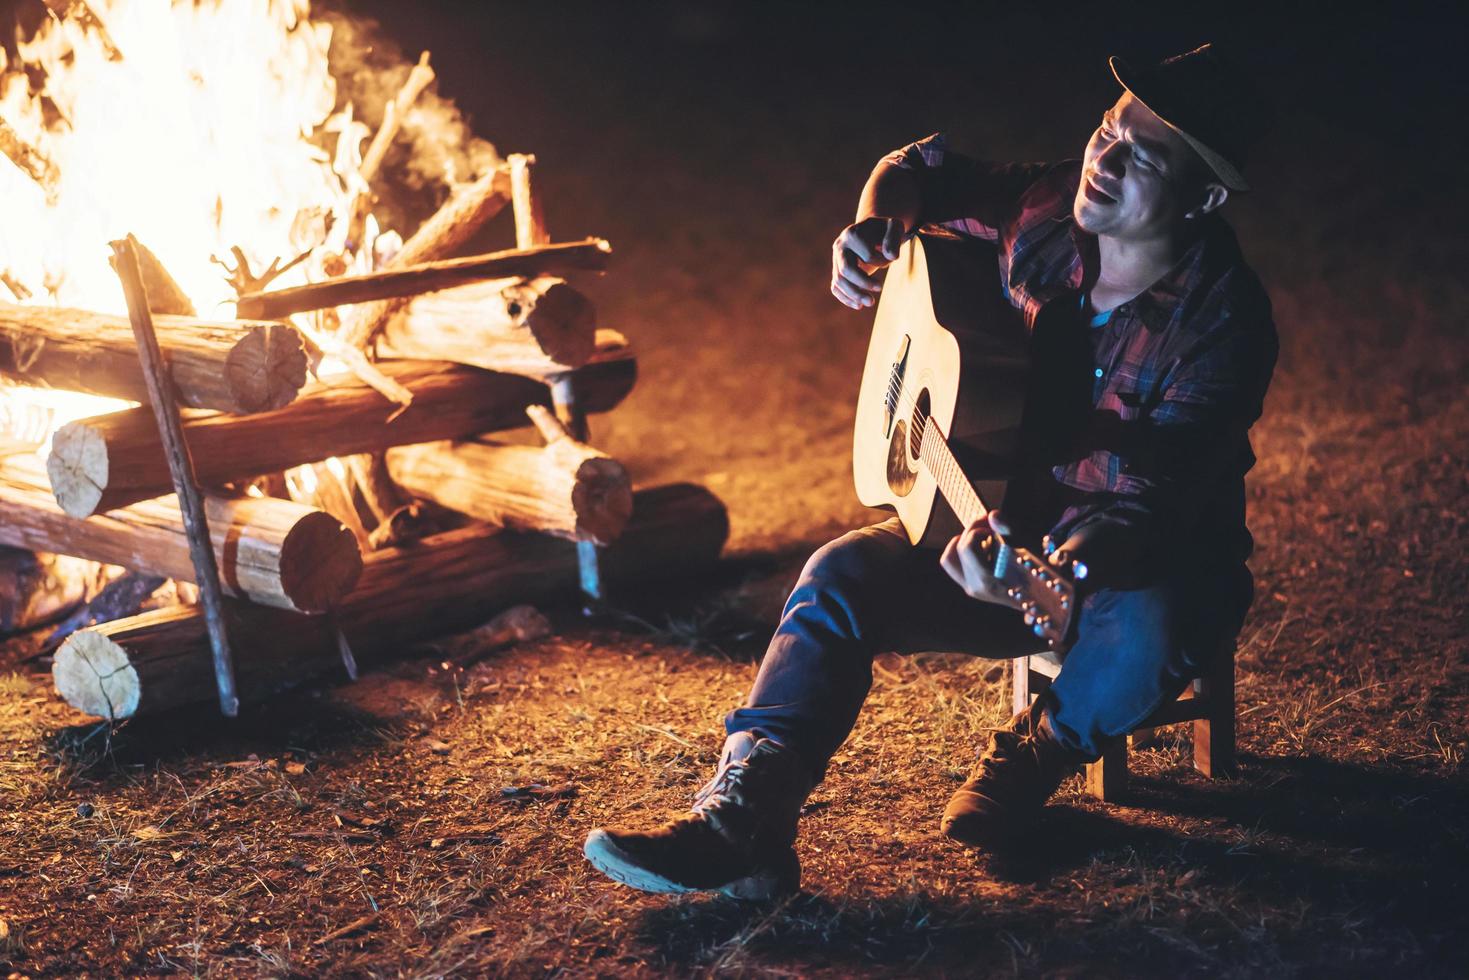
(1138,176)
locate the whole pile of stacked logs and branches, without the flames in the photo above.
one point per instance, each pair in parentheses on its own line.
(320,499)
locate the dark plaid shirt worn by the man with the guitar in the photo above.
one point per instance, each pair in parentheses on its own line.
(1160,446)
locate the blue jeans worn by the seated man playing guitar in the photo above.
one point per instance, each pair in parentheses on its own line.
(872,591)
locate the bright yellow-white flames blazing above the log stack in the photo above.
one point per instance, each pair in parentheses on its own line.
(211,130)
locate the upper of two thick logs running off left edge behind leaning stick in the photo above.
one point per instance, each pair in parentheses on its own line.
(252,367)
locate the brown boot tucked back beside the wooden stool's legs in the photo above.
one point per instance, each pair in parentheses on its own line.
(1020,771)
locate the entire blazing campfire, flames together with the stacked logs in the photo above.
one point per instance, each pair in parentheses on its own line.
(339,384)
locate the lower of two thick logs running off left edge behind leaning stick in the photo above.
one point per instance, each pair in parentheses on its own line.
(271,552)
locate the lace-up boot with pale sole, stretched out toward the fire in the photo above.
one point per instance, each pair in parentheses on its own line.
(737,840)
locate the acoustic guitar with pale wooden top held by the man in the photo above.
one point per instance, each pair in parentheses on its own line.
(939,415)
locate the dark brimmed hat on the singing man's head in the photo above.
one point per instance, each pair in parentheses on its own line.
(1214,108)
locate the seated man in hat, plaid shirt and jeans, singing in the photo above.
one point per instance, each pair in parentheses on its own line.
(1155,333)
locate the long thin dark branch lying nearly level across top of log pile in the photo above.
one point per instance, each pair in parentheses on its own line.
(408,281)
